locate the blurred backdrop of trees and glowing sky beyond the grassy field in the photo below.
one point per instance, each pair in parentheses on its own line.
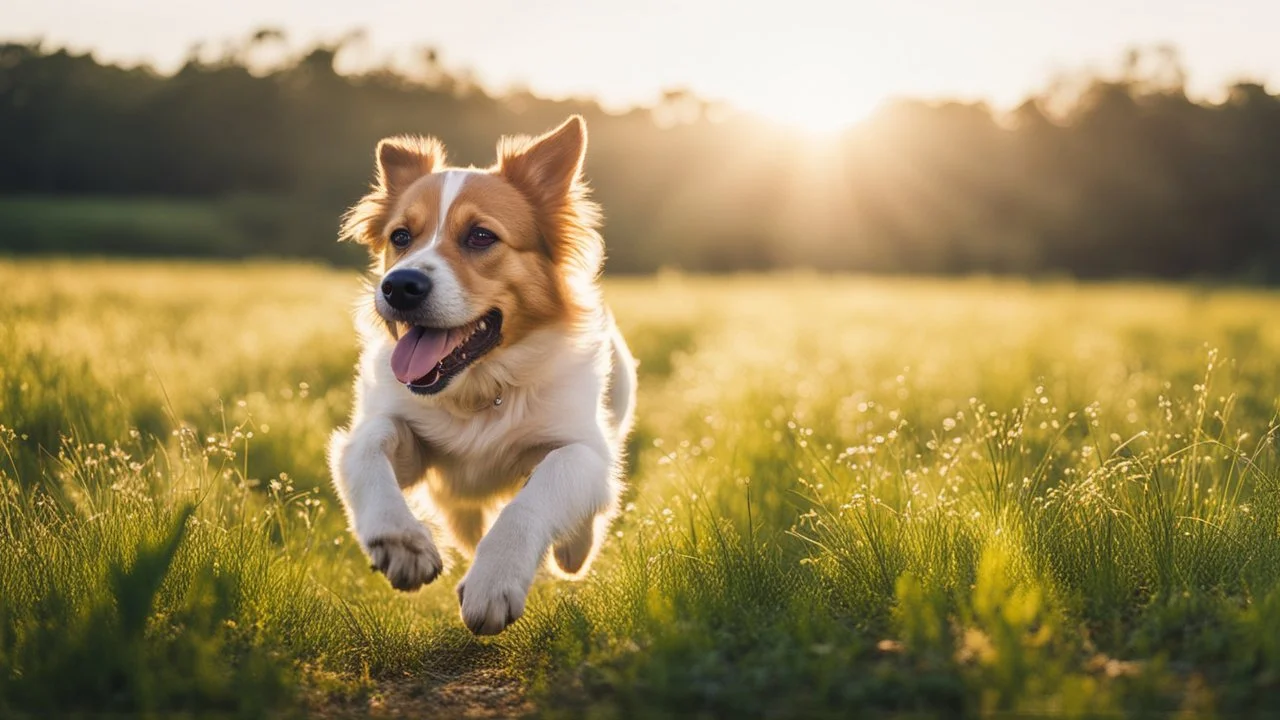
(1089,139)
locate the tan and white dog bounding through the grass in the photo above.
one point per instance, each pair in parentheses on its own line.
(491,371)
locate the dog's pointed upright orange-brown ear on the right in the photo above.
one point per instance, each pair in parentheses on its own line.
(546,168)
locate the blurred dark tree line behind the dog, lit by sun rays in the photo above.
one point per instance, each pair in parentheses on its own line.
(1105,175)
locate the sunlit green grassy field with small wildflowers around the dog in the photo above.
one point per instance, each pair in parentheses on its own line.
(845,496)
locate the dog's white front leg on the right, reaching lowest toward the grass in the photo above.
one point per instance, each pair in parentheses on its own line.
(568,489)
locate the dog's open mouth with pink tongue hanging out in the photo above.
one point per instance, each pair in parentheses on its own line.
(427,359)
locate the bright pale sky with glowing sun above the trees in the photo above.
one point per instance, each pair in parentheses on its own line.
(819,63)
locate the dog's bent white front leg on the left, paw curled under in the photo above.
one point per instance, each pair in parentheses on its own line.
(369,467)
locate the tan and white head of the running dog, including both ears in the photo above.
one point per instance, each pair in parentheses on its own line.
(469,263)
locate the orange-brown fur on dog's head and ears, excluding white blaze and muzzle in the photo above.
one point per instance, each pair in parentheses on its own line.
(536,200)
